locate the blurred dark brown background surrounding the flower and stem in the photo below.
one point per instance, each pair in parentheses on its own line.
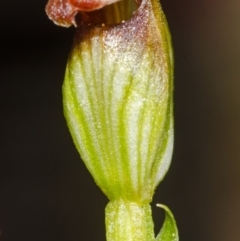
(46,192)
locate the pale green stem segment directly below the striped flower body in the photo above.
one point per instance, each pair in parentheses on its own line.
(129,221)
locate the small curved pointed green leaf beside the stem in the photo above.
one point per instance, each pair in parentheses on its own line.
(169,230)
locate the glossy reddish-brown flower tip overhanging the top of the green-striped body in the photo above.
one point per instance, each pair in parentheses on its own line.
(63,12)
